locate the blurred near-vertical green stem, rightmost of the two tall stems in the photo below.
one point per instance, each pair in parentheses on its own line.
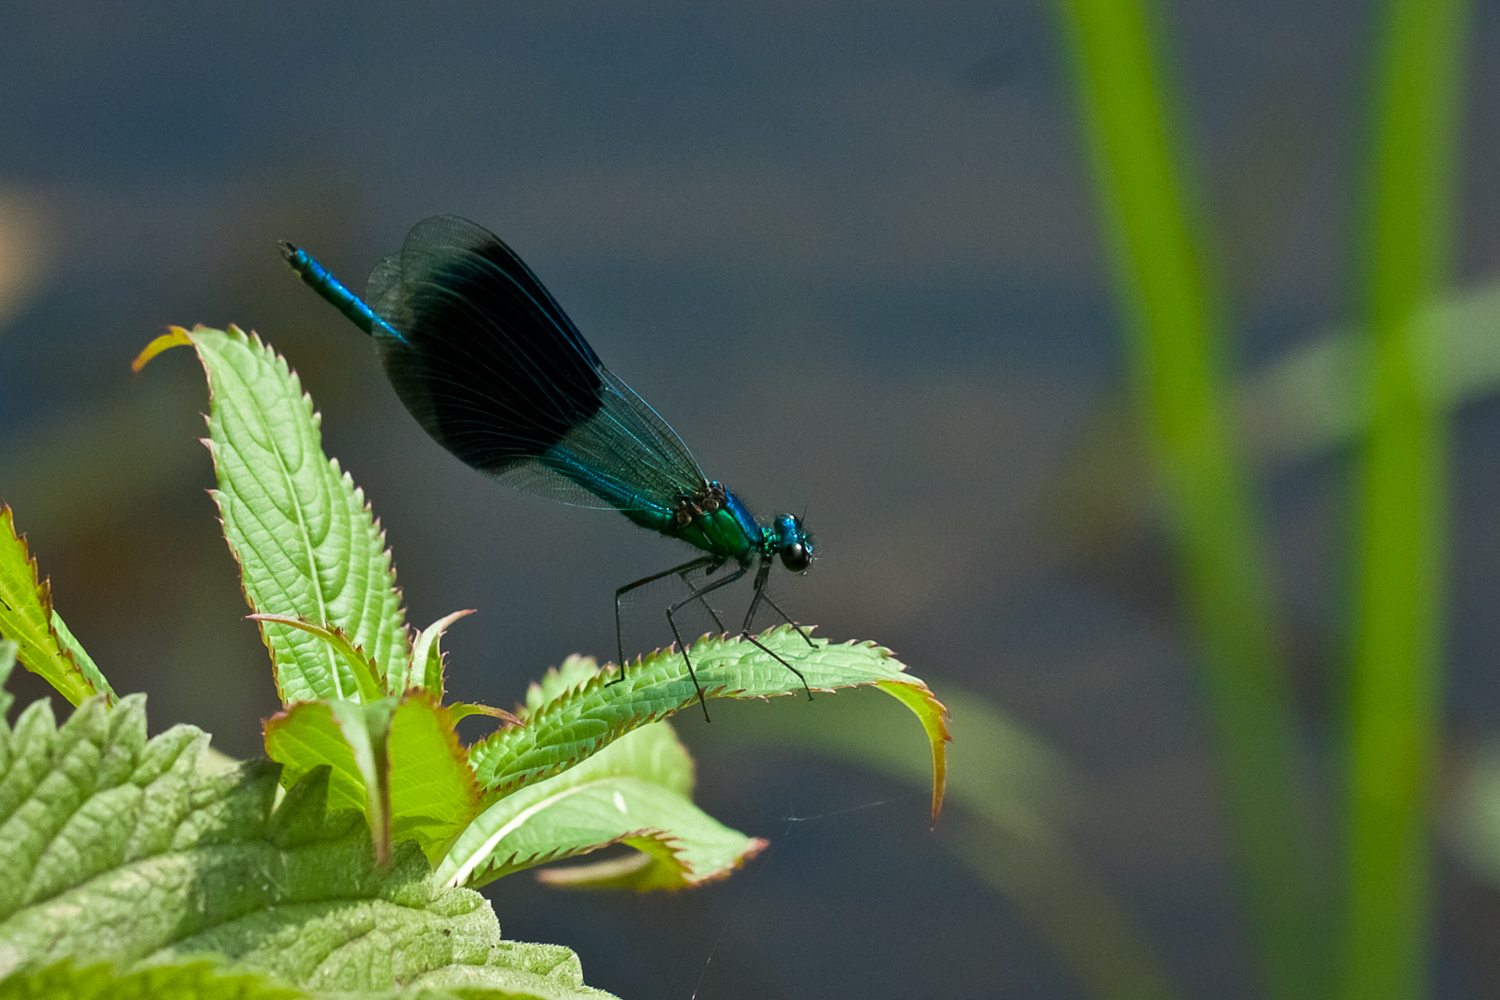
(1403,496)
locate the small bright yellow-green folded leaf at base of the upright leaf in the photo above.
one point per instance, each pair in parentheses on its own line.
(424,786)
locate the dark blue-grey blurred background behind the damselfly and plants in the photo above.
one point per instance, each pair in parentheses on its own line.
(851,254)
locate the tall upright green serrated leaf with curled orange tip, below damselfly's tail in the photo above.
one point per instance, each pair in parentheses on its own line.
(302,533)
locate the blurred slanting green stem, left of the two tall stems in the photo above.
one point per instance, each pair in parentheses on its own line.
(1175,352)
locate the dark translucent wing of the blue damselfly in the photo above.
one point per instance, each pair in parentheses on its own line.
(499,376)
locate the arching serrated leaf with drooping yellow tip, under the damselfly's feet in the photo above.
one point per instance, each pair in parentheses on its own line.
(584,719)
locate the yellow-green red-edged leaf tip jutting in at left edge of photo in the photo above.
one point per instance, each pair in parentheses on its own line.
(44,644)
